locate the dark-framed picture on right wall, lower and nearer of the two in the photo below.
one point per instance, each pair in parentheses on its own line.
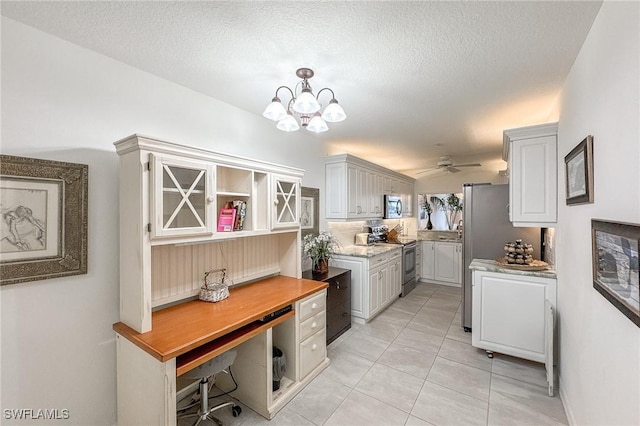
(615,265)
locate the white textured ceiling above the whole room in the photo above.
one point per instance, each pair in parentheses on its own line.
(417,79)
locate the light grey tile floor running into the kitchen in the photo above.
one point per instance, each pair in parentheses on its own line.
(414,365)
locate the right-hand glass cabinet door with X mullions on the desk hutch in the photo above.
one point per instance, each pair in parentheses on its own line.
(286,202)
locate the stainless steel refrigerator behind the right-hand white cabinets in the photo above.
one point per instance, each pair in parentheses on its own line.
(486,228)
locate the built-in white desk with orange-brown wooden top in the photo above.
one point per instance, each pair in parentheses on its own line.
(187,335)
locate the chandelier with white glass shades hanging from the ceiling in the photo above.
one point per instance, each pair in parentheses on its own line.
(306,106)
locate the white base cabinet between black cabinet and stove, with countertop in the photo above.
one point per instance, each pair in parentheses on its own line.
(375,282)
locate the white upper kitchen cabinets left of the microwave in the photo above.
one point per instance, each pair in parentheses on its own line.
(355,188)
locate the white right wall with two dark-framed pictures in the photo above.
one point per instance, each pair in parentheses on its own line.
(599,346)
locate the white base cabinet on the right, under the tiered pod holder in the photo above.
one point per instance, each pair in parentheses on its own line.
(513,315)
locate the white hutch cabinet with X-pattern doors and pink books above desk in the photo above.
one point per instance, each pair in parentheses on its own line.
(197,195)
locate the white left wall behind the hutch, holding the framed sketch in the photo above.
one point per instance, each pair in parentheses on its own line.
(63,102)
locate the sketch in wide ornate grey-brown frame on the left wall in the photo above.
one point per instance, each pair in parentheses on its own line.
(43,231)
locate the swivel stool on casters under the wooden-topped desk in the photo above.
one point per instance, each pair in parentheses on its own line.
(203,372)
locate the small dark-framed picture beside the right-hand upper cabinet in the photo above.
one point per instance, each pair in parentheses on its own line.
(579,173)
